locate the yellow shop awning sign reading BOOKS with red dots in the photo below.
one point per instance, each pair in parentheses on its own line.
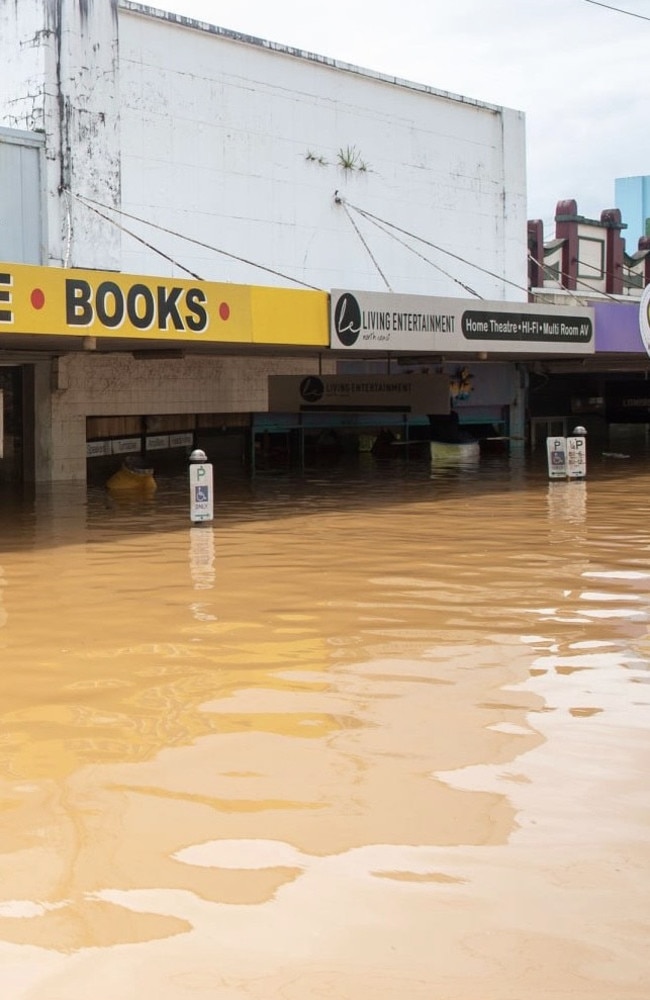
(70,302)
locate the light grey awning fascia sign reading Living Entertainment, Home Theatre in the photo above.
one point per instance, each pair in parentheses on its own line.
(383,321)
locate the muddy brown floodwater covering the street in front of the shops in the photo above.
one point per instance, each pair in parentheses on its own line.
(377,732)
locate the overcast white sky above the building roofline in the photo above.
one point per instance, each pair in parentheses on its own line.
(578,71)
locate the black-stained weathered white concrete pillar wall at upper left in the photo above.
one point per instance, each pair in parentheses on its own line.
(59,75)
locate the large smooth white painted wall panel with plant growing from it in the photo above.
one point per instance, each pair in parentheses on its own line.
(215,135)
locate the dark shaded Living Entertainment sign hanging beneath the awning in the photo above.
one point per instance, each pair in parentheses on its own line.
(418,394)
